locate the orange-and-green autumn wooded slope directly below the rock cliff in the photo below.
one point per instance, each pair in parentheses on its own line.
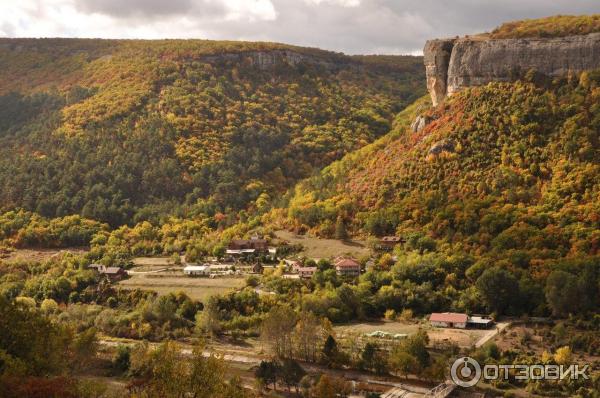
(500,167)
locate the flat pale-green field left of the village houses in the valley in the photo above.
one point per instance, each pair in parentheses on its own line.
(197,288)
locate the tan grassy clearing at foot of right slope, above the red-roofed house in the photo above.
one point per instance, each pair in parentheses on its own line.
(323,248)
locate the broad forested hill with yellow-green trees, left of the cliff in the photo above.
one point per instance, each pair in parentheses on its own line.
(126,131)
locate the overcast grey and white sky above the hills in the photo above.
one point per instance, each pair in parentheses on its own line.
(350,26)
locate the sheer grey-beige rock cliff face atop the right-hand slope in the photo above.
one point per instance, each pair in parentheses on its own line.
(453,64)
